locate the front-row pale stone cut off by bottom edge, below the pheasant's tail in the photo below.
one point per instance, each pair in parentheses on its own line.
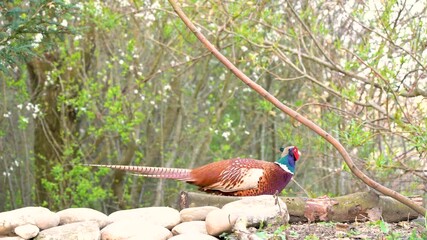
(134,229)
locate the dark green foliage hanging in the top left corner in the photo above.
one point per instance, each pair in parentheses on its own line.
(25,27)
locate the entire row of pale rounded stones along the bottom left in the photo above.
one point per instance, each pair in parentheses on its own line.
(150,223)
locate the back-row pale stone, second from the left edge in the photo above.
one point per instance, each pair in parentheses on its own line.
(72,215)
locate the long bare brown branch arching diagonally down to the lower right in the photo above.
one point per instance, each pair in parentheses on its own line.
(264,93)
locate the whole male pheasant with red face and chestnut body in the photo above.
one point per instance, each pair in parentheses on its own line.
(232,177)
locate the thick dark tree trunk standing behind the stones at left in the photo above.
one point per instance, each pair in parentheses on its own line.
(50,131)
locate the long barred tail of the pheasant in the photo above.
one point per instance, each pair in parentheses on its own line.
(154,172)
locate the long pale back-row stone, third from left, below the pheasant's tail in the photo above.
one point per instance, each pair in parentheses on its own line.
(164,216)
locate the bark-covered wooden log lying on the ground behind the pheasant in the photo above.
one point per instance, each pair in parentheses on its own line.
(361,206)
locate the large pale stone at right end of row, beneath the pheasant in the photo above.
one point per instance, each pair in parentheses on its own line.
(265,208)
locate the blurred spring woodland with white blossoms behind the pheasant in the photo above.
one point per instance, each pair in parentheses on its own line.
(125,82)
